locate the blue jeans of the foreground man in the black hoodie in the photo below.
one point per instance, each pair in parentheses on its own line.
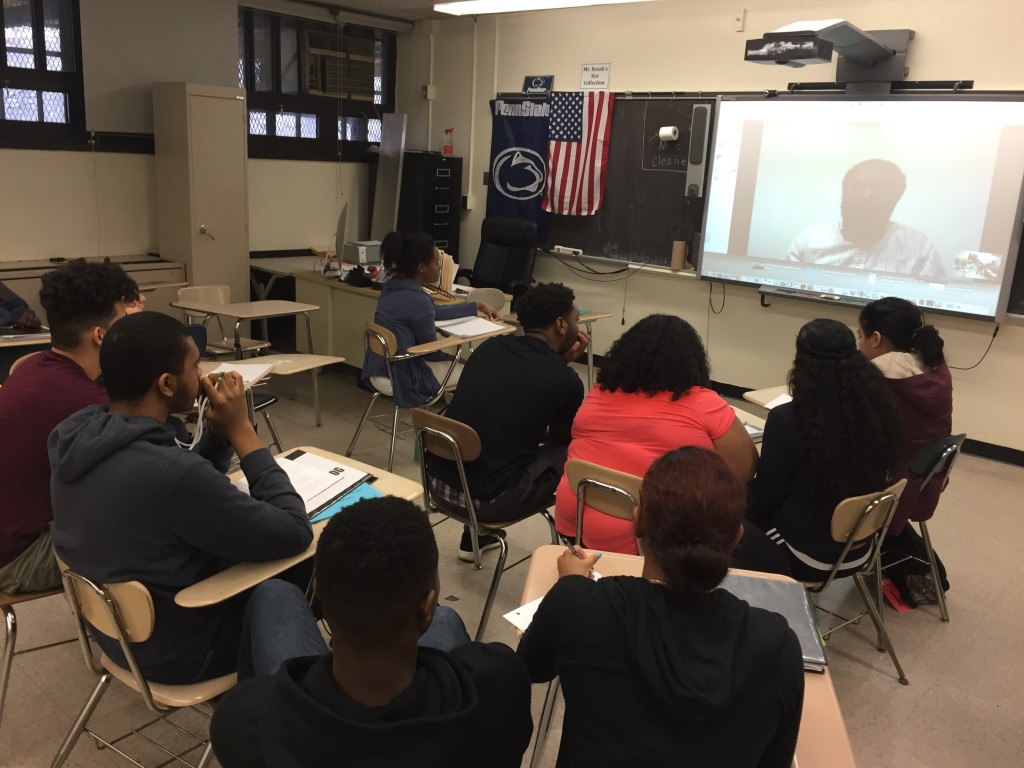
(279,626)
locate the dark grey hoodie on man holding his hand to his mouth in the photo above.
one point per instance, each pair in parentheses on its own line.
(130,504)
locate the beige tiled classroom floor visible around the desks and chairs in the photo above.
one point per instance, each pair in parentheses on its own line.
(963,708)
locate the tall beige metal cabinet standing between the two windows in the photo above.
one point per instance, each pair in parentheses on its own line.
(202,203)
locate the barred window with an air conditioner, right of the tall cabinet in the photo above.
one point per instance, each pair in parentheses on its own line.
(315,91)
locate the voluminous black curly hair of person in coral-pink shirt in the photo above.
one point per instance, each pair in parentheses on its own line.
(661,354)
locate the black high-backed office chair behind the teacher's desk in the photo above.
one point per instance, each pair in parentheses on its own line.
(505,260)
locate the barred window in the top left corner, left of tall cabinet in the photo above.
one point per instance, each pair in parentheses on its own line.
(41,74)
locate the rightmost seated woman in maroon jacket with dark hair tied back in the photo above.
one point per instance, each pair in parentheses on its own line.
(909,353)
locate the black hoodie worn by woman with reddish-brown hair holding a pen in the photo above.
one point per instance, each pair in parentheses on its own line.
(654,678)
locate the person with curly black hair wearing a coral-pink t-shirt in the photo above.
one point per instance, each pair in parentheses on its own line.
(652,397)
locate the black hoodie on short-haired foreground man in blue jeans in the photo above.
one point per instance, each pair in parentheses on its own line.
(467,708)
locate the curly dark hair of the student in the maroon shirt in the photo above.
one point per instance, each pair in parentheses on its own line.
(82,295)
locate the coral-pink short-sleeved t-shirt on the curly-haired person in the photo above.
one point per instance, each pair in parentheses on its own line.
(627,433)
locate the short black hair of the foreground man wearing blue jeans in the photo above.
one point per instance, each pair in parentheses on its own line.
(374,564)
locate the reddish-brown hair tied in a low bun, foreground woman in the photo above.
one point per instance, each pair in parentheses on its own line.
(692,505)
